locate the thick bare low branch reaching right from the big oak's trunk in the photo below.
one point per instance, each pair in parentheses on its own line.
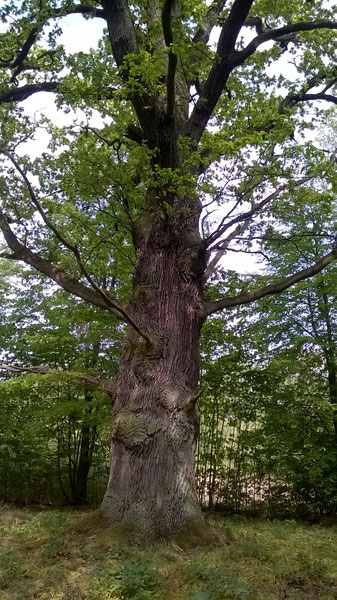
(273,288)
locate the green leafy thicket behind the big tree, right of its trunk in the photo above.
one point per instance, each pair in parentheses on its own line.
(268,424)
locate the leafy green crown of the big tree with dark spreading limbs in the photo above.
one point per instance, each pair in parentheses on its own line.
(253,93)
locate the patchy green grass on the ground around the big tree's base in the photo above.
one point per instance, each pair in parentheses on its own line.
(44,557)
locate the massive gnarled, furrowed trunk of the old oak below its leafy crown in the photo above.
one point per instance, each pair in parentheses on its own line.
(152,478)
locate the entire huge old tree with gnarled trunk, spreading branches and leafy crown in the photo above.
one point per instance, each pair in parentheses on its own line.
(132,192)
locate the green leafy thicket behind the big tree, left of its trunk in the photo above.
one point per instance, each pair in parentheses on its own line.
(53,428)
